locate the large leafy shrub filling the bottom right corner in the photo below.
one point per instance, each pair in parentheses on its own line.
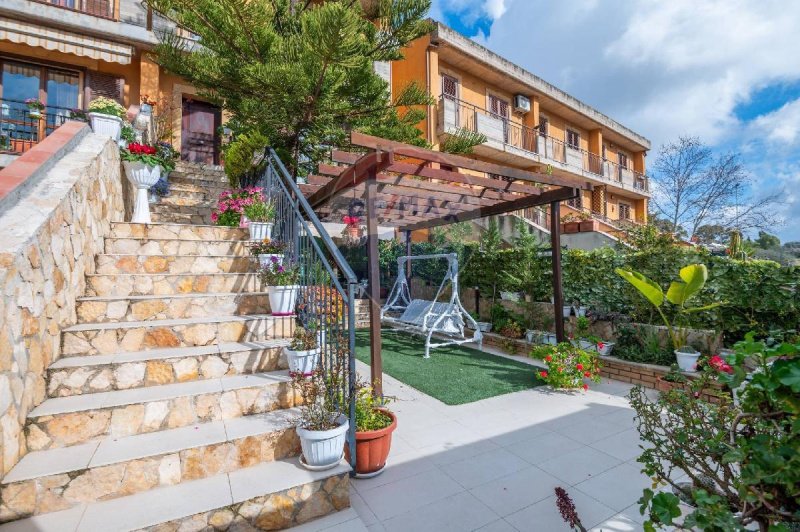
(742,458)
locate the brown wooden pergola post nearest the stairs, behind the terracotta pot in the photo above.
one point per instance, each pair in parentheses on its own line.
(373,275)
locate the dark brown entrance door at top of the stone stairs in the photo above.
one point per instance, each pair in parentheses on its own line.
(199,139)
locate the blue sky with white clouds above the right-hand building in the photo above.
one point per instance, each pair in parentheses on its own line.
(726,71)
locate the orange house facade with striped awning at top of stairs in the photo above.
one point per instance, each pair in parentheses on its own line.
(65,53)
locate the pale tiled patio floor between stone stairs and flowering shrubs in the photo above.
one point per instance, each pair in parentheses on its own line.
(492,465)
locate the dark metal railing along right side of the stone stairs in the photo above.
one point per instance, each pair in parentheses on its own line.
(328,286)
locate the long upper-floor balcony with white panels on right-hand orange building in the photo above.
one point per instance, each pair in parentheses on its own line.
(526,144)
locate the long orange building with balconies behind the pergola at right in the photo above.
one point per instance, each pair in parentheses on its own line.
(528,123)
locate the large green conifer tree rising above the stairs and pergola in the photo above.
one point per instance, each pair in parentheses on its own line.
(299,73)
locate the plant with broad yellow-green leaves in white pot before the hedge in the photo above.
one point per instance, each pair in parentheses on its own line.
(693,279)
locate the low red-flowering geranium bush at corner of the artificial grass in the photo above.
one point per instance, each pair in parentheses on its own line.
(568,366)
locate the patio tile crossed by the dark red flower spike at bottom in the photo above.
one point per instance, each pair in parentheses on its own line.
(544,514)
